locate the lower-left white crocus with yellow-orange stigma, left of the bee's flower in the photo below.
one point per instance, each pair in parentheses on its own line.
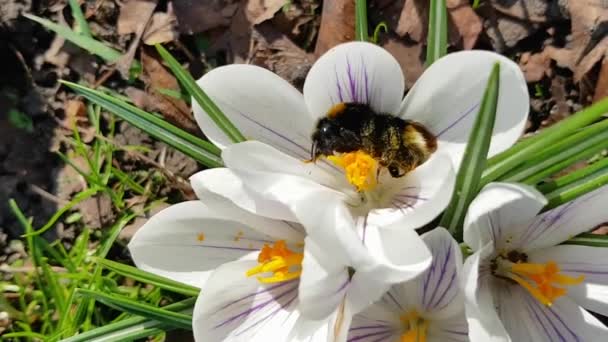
(254,272)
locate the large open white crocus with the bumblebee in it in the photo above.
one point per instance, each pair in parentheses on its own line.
(270,174)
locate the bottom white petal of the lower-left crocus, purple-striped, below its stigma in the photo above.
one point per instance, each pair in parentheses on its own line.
(234,307)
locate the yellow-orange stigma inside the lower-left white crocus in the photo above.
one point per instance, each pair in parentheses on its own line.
(283,263)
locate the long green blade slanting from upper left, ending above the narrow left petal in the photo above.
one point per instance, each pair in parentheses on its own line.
(198,149)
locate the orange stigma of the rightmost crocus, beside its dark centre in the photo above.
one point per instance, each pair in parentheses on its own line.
(540,280)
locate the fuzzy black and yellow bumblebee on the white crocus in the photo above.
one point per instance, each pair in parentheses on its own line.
(397,144)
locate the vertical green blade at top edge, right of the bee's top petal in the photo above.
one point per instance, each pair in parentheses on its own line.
(437,38)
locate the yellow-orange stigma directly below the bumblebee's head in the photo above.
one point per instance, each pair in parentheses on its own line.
(359,167)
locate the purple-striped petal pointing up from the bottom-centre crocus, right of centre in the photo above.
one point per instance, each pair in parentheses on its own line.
(439,292)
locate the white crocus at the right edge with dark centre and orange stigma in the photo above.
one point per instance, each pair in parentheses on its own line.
(521,284)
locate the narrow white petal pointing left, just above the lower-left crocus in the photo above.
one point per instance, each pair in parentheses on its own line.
(225,183)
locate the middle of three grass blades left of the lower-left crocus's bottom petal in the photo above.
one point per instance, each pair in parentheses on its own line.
(176,319)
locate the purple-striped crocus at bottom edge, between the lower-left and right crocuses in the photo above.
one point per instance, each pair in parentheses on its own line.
(429,308)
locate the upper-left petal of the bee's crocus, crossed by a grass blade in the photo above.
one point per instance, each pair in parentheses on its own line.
(260,104)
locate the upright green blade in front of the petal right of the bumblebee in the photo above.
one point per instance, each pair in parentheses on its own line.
(473,162)
